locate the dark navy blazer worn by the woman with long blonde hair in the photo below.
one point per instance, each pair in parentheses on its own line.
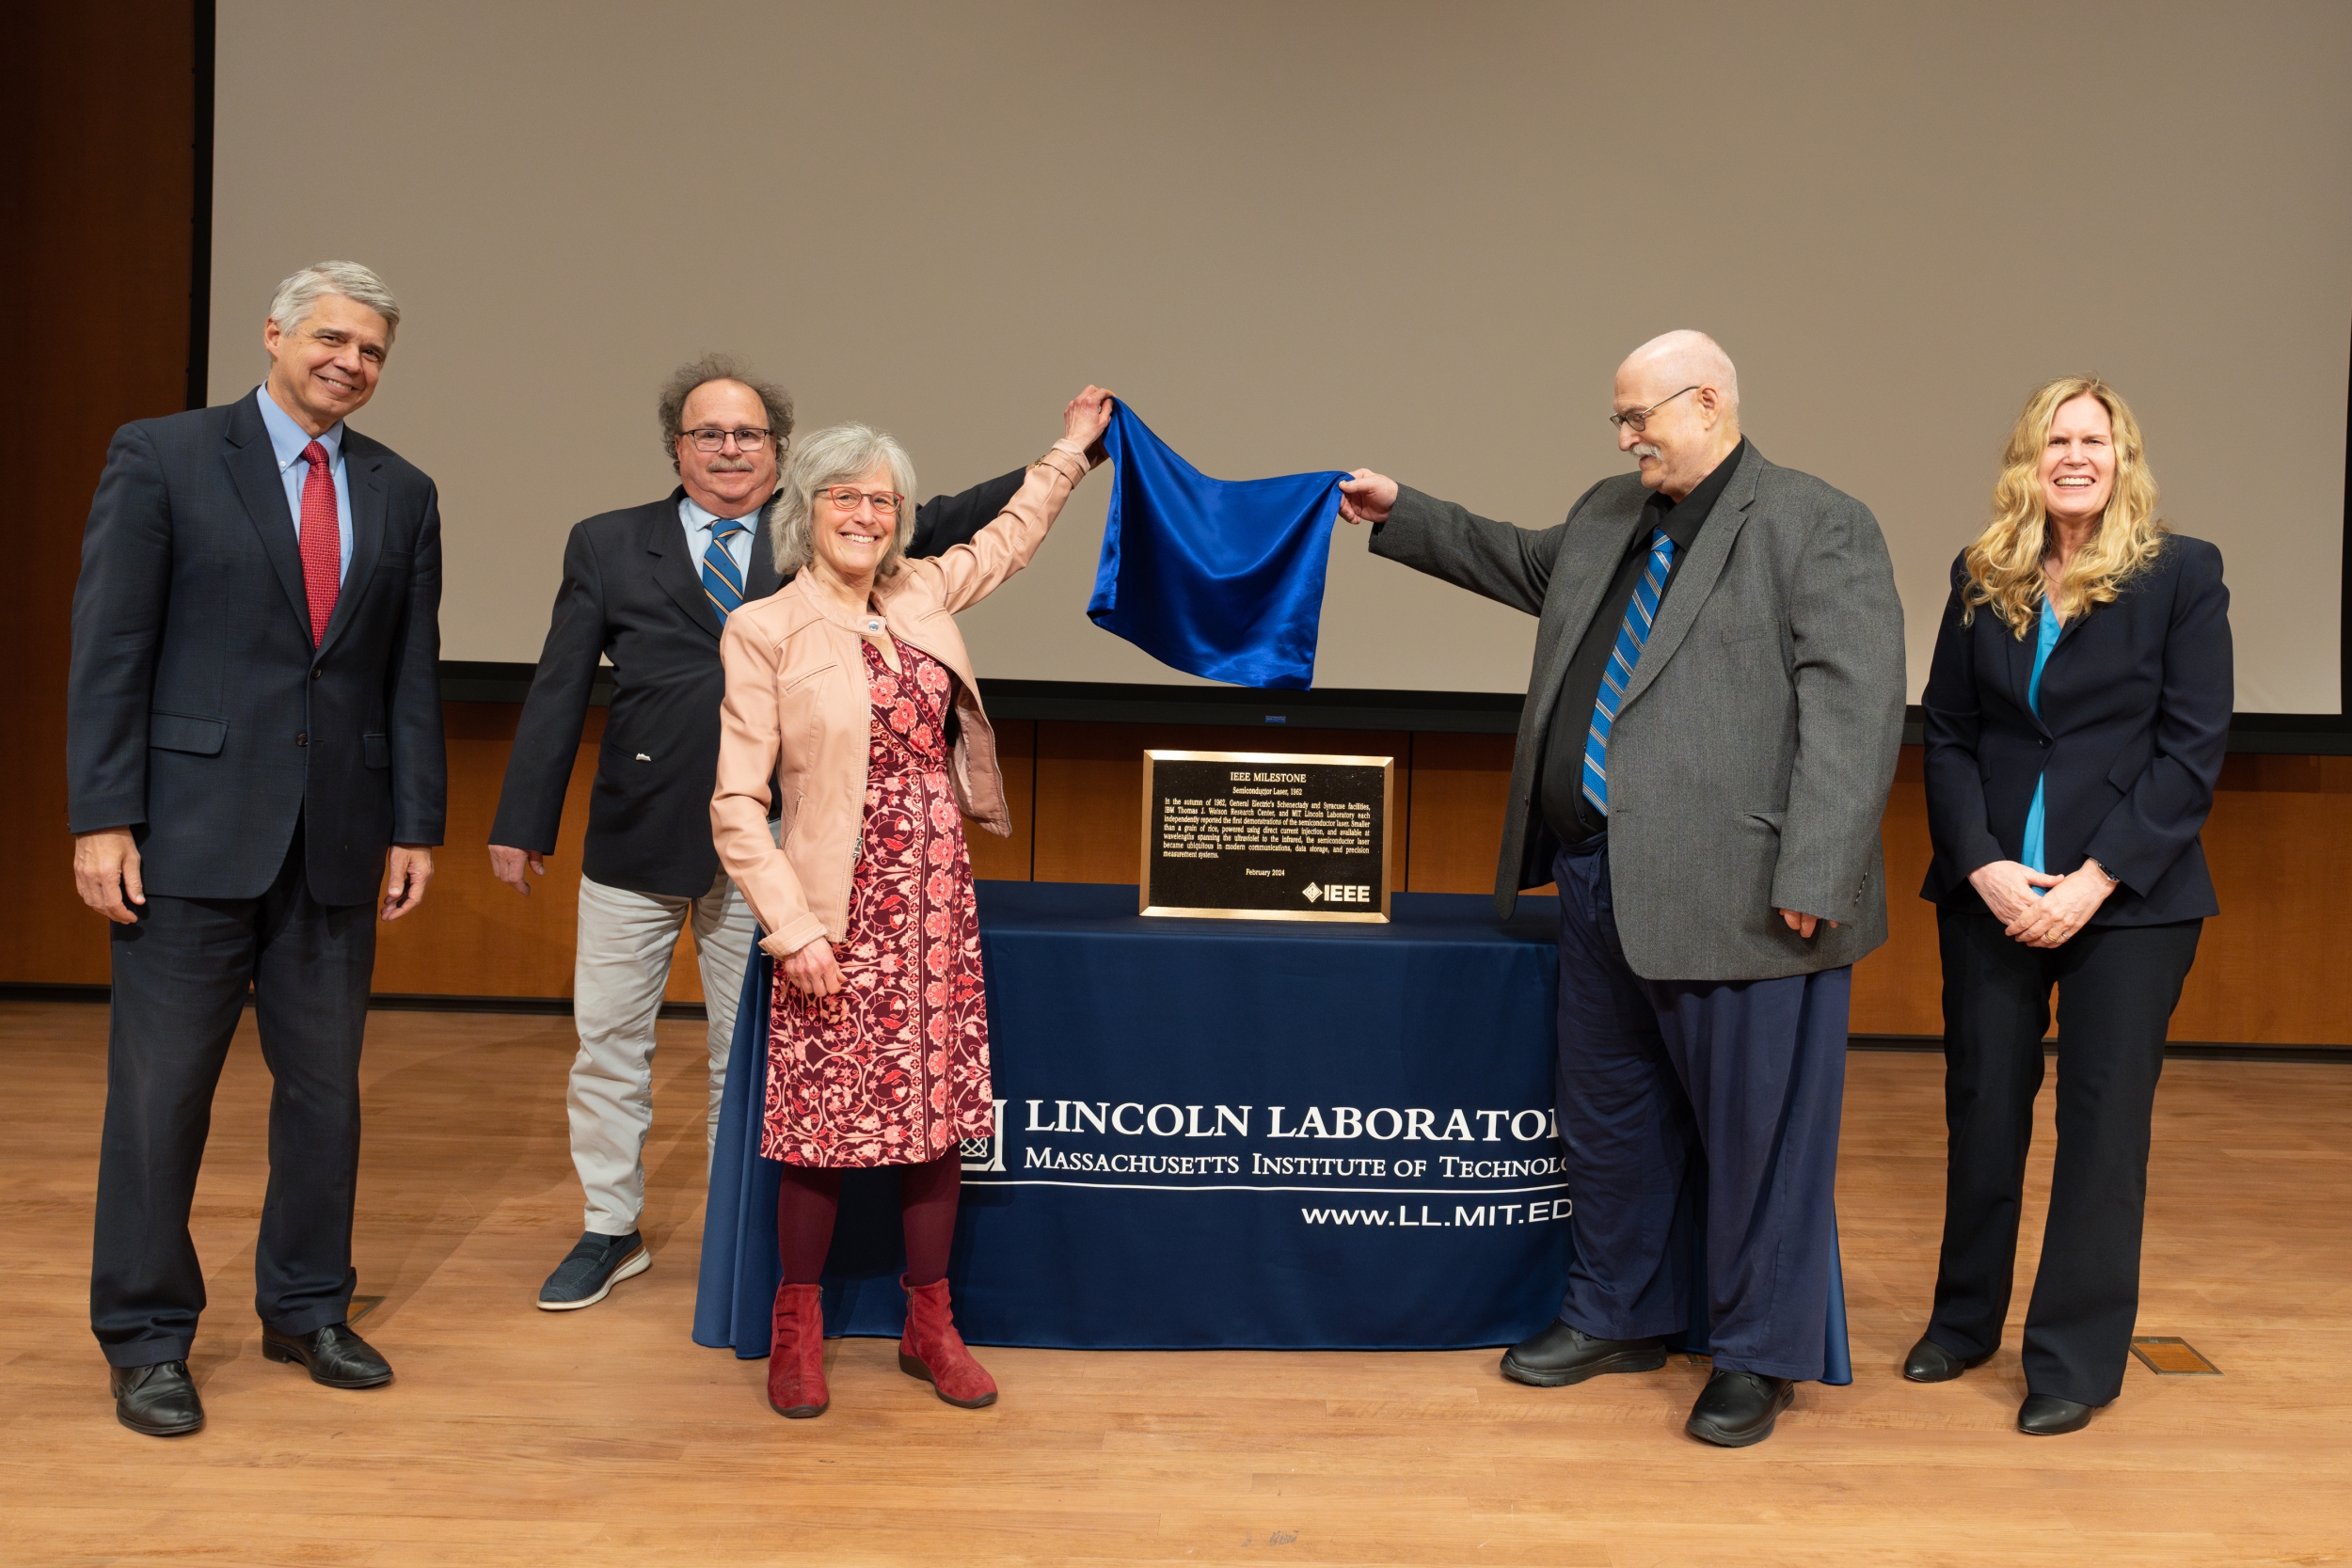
(2130,744)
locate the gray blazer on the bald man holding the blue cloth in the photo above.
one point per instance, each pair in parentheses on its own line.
(1751,758)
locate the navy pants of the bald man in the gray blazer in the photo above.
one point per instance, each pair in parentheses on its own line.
(1697,1099)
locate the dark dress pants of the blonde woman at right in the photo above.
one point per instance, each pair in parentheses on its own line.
(2116,1000)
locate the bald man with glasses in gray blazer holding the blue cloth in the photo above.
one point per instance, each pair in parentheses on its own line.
(1704,758)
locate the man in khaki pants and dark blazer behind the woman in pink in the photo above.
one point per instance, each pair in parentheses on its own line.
(648,589)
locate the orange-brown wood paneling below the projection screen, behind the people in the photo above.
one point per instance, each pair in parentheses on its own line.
(2271,970)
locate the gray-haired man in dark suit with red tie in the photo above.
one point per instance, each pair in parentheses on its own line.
(253,749)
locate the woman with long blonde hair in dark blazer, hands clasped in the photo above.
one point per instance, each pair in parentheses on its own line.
(2076,725)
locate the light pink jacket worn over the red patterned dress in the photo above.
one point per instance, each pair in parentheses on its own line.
(799,711)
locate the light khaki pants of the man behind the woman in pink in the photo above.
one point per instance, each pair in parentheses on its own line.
(624,965)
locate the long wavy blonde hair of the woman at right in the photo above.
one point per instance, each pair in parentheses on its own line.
(2005,561)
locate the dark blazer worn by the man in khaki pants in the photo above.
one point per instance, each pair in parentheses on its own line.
(634,596)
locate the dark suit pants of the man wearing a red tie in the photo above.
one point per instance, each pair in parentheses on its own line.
(180,986)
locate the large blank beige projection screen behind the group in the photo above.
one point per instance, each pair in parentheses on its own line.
(1323,236)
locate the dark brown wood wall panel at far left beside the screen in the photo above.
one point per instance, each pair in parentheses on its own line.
(98,180)
